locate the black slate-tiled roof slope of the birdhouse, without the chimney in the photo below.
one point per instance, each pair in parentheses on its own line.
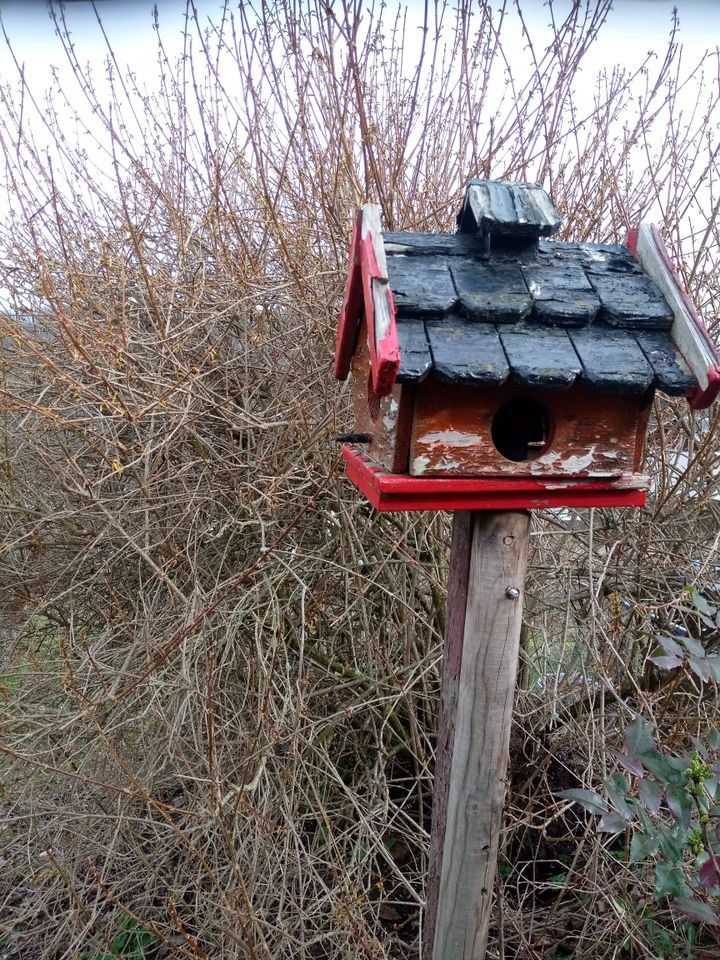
(547,317)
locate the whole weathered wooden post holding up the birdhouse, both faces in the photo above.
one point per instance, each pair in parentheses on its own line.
(488,560)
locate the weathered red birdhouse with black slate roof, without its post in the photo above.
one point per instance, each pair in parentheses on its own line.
(495,367)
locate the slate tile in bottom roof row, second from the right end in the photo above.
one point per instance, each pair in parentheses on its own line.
(612,359)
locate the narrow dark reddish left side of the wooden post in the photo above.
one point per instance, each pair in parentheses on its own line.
(458,577)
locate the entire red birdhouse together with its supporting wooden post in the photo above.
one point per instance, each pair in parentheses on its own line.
(495,371)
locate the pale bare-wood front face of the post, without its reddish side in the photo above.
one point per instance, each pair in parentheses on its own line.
(479,734)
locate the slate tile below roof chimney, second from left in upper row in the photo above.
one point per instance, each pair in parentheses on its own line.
(494,292)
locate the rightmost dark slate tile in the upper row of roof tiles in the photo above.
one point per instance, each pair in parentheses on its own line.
(631,301)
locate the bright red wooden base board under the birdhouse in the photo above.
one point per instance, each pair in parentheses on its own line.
(399,491)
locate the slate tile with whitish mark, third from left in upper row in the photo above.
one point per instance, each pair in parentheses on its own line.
(562,294)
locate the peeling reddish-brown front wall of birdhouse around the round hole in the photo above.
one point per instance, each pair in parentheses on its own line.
(589,436)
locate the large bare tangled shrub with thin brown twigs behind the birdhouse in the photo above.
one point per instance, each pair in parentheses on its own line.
(220,668)
